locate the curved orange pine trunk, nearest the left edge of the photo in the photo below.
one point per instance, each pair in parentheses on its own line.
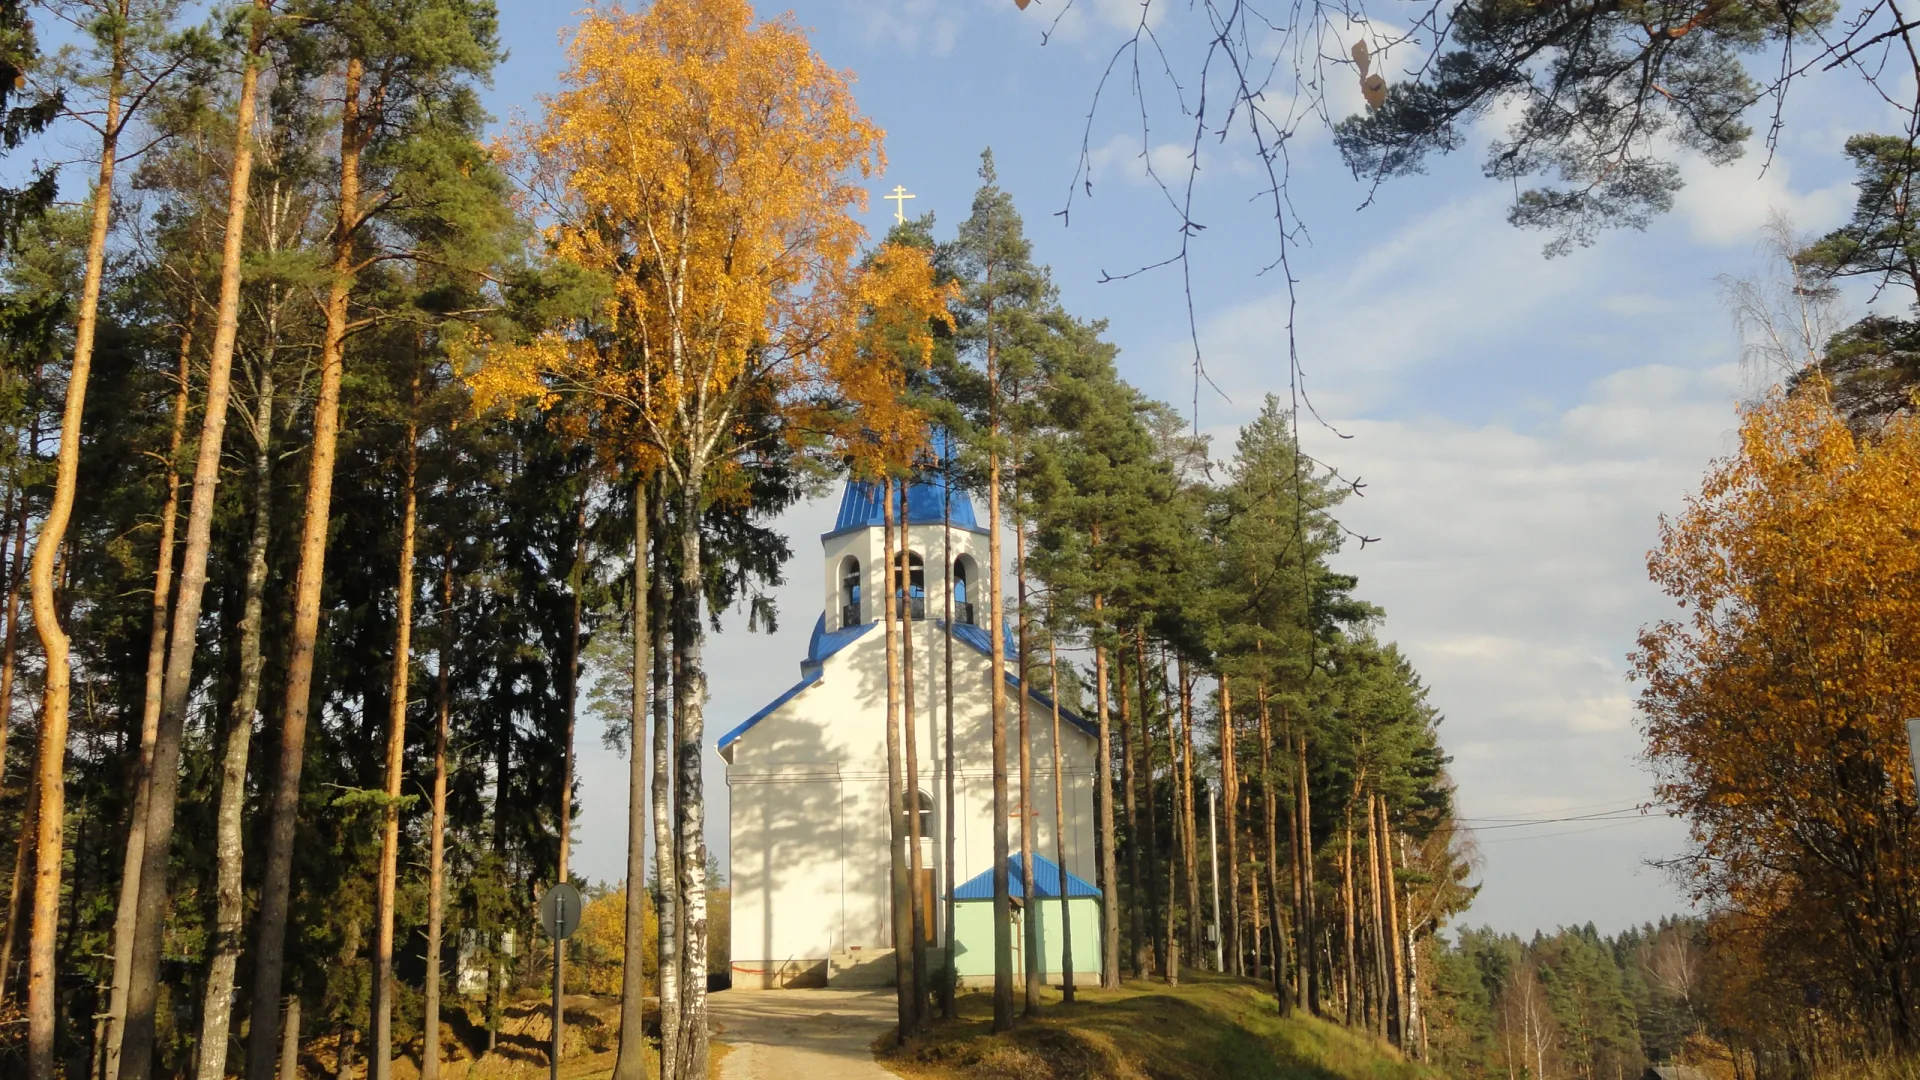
(53,758)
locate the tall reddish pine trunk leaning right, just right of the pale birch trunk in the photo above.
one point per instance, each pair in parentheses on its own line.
(276,889)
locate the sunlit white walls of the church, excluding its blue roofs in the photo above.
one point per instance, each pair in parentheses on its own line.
(809,825)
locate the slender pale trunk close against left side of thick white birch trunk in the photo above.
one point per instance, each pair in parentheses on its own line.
(665,850)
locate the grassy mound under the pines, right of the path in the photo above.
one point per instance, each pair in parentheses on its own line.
(1205,1029)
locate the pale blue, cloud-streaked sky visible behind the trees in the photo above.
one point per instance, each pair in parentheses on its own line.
(1520,422)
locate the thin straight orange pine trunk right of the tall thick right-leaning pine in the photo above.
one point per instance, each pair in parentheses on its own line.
(396,749)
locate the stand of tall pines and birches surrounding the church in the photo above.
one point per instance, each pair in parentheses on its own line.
(343,441)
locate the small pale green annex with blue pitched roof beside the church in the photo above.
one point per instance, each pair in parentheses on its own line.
(974,925)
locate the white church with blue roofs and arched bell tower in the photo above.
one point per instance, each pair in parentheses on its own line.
(809,772)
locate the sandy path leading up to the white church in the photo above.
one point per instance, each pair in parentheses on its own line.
(802,1035)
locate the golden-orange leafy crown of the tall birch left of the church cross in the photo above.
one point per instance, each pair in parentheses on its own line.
(706,170)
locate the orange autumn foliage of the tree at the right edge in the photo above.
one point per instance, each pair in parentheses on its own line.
(1775,706)
